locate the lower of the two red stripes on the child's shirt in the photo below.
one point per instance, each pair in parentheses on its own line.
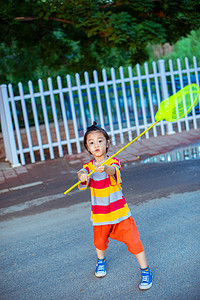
(102,209)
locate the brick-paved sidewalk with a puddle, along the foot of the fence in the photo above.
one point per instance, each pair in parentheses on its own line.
(33,174)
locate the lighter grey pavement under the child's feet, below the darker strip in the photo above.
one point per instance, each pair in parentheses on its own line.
(51,255)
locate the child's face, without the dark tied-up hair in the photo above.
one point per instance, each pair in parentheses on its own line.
(97,144)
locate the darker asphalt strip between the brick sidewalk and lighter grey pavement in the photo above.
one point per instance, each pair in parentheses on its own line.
(141,183)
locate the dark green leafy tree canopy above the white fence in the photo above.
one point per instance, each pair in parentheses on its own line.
(39,38)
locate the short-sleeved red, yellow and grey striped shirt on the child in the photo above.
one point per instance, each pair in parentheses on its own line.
(108,203)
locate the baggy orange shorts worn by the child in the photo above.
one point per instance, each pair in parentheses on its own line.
(126,231)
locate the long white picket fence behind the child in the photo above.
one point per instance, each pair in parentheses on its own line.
(52,121)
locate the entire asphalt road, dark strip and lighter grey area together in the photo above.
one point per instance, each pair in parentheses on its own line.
(47,249)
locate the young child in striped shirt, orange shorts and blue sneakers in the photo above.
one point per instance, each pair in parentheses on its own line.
(110,214)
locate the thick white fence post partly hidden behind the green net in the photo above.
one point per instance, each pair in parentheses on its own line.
(164,89)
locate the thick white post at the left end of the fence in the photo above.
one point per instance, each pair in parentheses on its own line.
(7,128)
